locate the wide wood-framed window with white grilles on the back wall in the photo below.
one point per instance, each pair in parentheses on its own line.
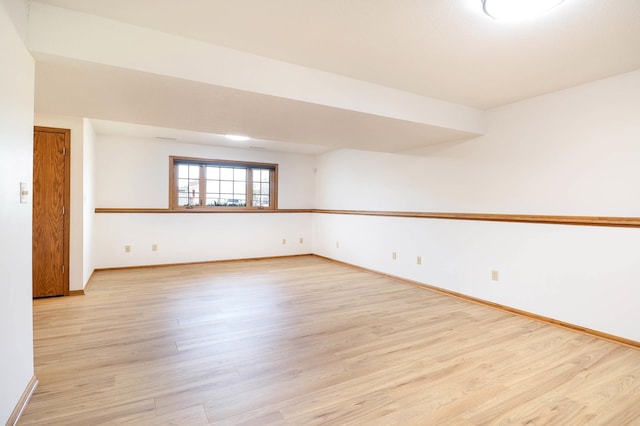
(221,185)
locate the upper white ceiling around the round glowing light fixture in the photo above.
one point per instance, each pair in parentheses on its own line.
(441,49)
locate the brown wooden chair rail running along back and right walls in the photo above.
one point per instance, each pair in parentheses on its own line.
(614,221)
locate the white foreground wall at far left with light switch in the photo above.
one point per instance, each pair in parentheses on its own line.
(16,165)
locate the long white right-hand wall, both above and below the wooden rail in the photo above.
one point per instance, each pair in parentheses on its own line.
(574,152)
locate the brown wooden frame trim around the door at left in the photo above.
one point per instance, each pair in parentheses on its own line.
(66,199)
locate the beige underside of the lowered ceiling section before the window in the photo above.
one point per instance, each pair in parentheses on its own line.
(160,103)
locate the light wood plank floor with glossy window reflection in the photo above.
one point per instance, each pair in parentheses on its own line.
(302,341)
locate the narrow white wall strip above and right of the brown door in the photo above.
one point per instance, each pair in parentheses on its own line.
(76,238)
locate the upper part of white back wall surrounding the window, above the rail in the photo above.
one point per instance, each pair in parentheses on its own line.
(134,172)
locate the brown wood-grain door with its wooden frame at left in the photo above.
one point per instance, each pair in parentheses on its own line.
(51,212)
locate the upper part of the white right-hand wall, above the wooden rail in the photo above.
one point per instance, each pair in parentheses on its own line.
(573,152)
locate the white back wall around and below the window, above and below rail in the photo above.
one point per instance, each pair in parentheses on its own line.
(134,173)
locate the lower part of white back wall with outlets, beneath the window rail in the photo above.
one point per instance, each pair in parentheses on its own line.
(155,239)
